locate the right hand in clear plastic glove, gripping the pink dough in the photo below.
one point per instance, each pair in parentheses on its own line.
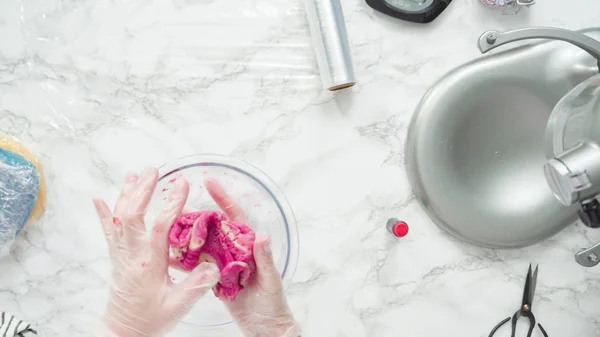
(261,308)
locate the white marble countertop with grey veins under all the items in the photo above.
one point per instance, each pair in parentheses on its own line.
(101,87)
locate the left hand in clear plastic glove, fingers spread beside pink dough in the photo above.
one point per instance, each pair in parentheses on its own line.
(143,300)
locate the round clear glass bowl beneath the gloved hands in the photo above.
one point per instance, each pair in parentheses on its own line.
(263,202)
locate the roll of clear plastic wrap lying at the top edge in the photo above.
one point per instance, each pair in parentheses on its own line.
(330,42)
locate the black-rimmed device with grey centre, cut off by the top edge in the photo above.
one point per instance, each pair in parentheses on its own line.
(420,11)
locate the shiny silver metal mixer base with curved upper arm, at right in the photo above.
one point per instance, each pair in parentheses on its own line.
(475,149)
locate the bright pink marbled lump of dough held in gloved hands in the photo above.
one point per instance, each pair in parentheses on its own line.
(209,236)
